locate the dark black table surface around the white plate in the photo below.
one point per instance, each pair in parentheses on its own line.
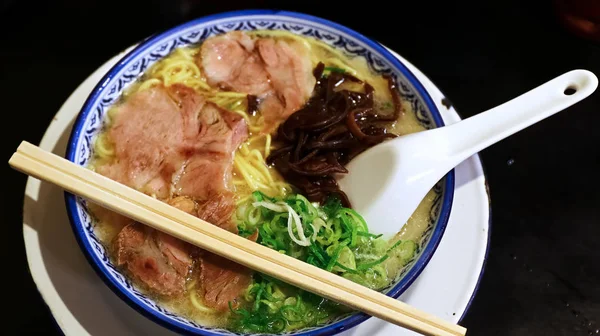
(543,272)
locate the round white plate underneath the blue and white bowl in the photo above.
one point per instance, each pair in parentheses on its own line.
(83,305)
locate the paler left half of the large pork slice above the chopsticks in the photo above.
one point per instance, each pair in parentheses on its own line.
(147,134)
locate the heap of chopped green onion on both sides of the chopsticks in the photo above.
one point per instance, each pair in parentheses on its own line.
(328,236)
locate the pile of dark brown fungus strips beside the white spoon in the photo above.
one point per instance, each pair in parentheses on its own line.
(334,126)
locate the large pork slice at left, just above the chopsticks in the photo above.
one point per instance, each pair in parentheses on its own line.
(171,142)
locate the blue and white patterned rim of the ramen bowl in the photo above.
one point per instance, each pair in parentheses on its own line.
(132,65)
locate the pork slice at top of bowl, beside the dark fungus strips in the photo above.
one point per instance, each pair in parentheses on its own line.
(278,72)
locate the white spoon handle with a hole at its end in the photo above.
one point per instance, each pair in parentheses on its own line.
(476,133)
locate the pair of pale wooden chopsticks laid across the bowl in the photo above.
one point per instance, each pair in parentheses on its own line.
(120,198)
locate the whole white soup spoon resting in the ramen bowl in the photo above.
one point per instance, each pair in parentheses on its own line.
(387,182)
